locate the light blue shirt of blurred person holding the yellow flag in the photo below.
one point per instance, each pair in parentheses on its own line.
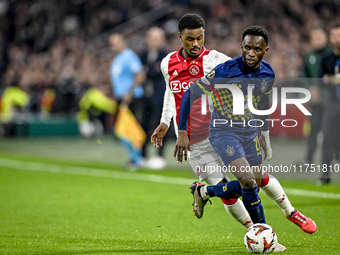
(123,69)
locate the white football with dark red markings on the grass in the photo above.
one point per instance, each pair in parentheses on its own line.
(260,238)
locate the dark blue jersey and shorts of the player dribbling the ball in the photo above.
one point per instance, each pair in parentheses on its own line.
(233,135)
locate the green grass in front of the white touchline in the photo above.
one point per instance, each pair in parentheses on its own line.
(60,213)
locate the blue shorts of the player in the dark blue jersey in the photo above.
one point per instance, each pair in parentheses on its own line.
(231,145)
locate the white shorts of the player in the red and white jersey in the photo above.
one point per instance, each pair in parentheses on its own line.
(205,162)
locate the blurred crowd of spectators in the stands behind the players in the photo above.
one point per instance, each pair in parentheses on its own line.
(56,49)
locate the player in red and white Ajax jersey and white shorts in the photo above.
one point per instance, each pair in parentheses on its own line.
(180,70)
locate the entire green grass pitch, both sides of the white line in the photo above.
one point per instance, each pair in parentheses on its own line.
(71,196)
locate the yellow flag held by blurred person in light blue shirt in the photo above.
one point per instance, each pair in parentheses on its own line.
(127,127)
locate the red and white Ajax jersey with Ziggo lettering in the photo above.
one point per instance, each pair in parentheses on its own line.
(179,74)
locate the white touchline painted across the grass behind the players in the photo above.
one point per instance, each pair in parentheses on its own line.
(96,172)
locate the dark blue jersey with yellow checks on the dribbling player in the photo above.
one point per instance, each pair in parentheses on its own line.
(233,72)
